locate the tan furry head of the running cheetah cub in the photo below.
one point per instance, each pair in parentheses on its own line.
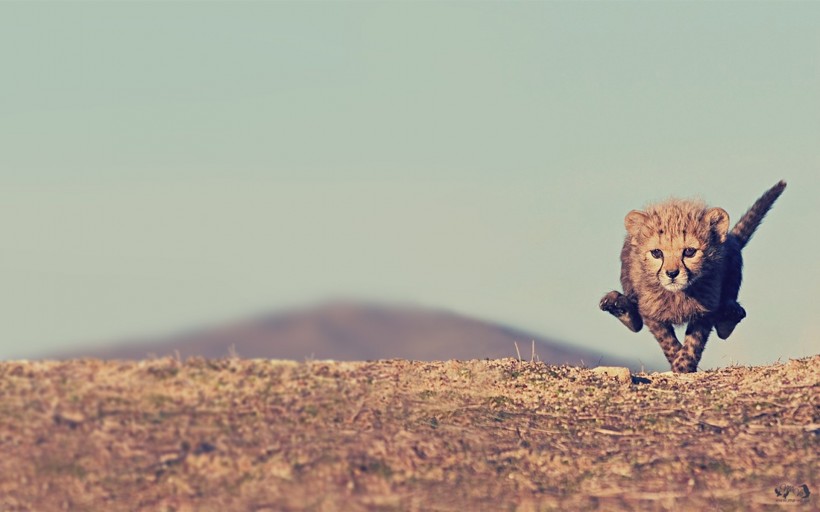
(677,241)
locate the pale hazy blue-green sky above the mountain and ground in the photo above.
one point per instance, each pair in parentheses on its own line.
(167,165)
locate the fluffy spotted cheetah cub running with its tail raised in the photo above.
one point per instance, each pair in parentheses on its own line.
(680,263)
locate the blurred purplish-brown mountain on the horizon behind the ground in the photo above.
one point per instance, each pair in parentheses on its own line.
(349,331)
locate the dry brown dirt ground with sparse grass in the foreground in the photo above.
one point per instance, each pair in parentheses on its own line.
(237,435)
